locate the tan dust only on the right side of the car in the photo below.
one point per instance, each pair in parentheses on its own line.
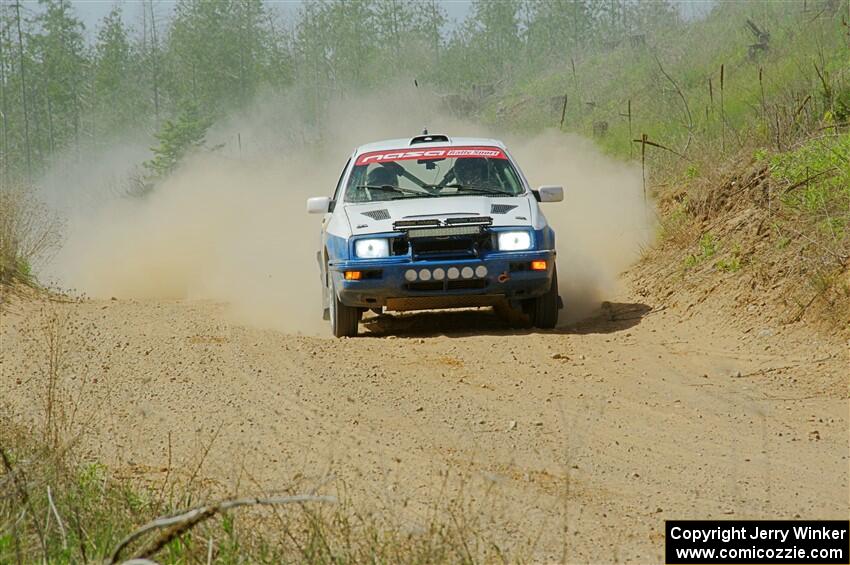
(603,222)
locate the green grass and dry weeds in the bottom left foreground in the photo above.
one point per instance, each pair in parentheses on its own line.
(98,510)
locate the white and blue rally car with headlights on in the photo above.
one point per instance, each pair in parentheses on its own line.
(435,222)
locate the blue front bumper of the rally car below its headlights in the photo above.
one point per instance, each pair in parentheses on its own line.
(508,277)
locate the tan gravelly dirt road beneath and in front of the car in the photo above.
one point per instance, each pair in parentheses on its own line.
(573,445)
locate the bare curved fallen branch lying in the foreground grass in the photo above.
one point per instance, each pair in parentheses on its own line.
(180,523)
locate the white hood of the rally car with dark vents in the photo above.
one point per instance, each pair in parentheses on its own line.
(378,217)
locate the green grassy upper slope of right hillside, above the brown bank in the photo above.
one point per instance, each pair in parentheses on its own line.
(605,83)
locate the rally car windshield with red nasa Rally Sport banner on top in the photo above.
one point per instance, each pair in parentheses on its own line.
(434,172)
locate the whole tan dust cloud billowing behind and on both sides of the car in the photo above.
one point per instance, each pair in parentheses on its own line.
(230,225)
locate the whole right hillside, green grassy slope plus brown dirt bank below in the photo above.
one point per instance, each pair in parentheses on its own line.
(786,108)
